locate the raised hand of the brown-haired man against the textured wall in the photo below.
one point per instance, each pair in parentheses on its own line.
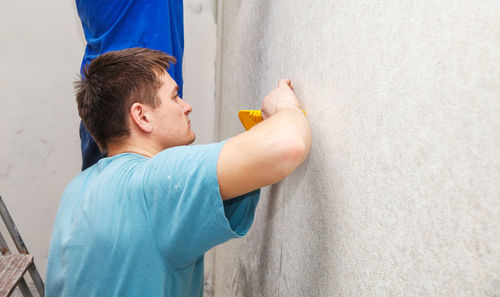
(281,97)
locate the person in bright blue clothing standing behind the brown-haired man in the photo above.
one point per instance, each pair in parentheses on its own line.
(110,25)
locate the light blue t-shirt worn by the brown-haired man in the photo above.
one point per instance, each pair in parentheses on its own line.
(137,226)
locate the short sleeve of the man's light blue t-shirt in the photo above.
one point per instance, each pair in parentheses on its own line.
(187,214)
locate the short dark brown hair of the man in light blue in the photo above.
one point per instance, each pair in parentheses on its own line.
(113,82)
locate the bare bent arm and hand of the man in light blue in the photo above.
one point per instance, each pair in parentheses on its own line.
(268,152)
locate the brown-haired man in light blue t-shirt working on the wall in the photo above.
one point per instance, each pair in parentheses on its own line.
(138,222)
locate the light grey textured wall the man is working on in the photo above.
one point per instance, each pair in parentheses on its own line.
(400,195)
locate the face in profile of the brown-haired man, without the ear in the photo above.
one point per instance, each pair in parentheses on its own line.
(171,123)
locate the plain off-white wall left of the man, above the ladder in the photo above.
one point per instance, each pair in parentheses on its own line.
(40,55)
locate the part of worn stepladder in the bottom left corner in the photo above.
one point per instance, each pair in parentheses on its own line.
(14,266)
